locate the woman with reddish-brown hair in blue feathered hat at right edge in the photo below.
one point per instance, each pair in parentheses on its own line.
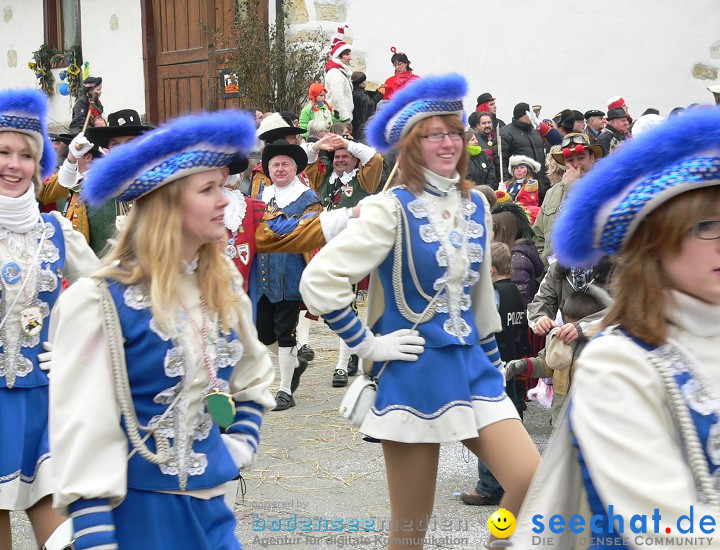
(641,430)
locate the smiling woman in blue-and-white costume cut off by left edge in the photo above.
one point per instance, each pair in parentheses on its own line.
(36,253)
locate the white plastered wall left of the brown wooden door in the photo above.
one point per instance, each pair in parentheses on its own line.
(111,40)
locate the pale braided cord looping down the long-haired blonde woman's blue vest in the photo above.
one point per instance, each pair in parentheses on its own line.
(111,324)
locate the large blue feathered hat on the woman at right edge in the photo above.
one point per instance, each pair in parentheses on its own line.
(604,207)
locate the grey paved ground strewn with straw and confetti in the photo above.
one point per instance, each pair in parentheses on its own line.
(315,470)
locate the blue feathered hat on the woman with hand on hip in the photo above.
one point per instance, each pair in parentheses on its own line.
(423,98)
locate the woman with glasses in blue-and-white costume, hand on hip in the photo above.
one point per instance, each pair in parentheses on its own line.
(432,314)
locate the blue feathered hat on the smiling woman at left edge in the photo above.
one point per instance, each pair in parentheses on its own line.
(25,111)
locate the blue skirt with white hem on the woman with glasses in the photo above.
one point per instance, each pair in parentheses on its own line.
(449,394)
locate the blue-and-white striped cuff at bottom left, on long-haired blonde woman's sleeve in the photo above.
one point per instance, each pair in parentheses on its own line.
(93,524)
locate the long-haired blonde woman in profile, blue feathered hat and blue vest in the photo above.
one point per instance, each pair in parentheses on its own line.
(156,479)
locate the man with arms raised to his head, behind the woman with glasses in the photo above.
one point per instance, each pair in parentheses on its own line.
(357,170)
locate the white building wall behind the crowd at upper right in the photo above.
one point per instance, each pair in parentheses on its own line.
(558,54)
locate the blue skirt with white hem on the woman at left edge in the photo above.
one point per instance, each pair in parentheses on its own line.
(25,475)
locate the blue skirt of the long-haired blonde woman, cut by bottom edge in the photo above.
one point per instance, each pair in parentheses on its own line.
(147,519)
